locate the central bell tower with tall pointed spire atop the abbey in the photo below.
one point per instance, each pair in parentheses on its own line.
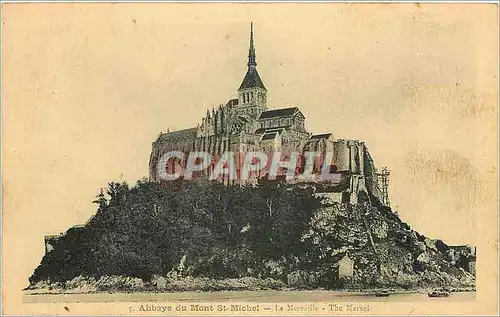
(252,94)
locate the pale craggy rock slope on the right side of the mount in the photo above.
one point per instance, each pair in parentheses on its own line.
(386,251)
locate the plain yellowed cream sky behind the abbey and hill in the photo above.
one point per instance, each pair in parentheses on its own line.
(88,87)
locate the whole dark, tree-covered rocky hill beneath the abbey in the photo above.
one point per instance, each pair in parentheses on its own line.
(156,233)
